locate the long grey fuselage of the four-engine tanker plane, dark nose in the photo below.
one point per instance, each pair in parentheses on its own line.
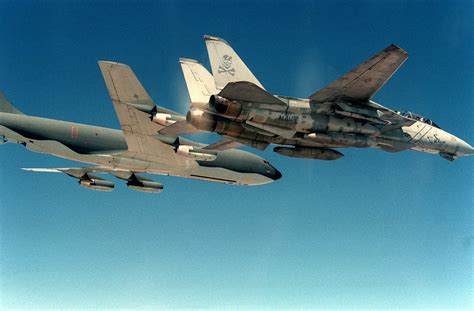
(107,147)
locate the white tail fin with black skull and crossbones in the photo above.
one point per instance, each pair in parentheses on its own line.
(226,64)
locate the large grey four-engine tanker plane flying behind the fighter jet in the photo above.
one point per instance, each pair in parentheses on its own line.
(137,149)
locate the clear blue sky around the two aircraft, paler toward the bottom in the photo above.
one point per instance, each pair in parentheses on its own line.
(373,230)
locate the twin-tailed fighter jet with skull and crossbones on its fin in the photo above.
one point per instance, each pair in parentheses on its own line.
(234,104)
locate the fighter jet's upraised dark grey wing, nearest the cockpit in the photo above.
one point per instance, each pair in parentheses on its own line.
(363,82)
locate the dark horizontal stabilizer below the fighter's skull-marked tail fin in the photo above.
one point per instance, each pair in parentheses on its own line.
(249,92)
